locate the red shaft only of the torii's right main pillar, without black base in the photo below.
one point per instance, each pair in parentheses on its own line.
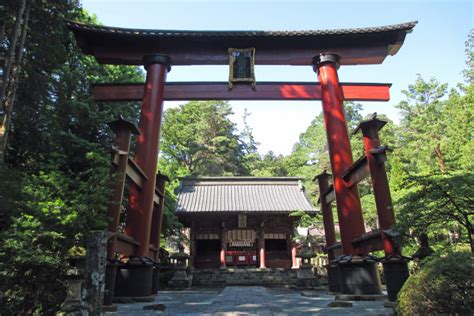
(347,199)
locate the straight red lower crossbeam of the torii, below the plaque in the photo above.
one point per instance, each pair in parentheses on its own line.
(184,91)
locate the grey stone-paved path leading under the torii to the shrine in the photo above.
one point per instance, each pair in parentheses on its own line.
(250,300)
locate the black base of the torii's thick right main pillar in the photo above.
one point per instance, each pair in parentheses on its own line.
(359,275)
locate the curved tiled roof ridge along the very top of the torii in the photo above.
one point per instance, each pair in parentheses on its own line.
(74,25)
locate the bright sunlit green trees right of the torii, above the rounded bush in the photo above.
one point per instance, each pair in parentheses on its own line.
(431,169)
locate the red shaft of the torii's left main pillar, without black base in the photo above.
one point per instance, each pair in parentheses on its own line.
(146,156)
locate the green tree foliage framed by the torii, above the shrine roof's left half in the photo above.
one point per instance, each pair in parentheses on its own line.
(198,138)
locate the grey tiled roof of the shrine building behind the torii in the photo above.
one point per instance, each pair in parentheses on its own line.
(242,194)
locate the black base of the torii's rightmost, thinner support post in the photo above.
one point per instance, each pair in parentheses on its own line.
(396,273)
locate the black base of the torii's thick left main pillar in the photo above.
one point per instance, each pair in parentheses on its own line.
(134,278)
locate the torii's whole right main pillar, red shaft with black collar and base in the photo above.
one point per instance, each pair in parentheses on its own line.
(358,273)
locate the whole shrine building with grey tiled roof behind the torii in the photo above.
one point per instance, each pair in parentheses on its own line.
(241,221)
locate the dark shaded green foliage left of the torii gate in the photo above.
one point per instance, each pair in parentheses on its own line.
(55,185)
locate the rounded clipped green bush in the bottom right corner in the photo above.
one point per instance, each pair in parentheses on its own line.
(444,285)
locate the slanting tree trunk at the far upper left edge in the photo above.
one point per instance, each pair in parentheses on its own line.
(13,65)
